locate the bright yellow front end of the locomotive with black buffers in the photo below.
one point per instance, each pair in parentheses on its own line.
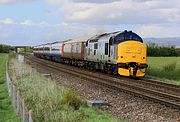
(132,58)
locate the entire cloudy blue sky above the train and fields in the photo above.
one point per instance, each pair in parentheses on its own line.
(33,22)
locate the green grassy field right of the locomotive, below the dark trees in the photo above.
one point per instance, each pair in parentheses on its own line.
(164,67)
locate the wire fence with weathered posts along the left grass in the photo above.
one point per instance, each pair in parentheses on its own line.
(17,100)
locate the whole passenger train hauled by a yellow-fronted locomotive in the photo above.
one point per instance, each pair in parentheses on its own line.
(118,53)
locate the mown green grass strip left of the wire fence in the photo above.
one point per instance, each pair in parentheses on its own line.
(7,113)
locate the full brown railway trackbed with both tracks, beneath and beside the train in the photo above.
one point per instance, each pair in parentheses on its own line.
(163,93)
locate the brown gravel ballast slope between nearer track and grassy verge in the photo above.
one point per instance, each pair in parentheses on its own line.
(122,105)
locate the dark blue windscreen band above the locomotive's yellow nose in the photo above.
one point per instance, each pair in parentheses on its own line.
(125,36)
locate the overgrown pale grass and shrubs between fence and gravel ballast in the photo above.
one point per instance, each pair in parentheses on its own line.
(51,102)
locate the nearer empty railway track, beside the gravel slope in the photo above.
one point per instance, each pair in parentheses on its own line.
(147,93)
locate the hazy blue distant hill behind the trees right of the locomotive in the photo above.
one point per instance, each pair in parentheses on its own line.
(175,41)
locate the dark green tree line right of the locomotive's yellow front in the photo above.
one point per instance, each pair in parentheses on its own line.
(156,50)
